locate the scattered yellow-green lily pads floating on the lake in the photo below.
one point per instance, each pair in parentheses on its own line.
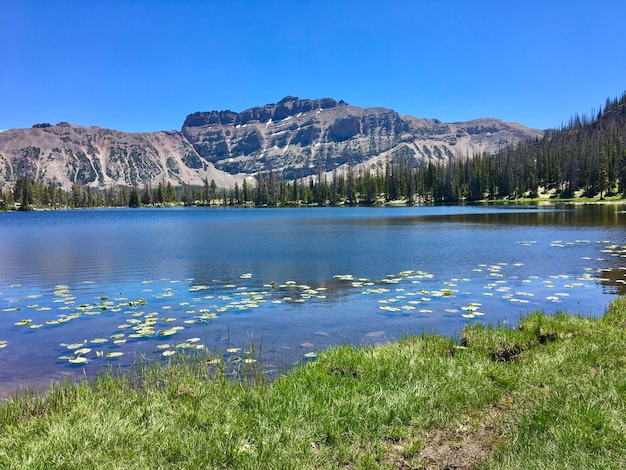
(172,316)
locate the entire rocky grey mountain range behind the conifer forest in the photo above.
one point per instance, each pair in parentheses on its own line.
(296,137)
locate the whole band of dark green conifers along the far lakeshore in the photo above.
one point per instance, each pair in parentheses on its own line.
(585,158)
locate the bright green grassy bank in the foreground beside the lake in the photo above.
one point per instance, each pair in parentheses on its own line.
(550,394)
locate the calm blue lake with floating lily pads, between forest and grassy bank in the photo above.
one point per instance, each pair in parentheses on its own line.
(77,288)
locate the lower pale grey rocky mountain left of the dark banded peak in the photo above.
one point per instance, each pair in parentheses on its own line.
(67,153)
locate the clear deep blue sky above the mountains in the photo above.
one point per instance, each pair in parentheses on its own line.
(144,65)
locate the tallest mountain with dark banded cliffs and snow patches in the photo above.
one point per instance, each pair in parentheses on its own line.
(296,136)
